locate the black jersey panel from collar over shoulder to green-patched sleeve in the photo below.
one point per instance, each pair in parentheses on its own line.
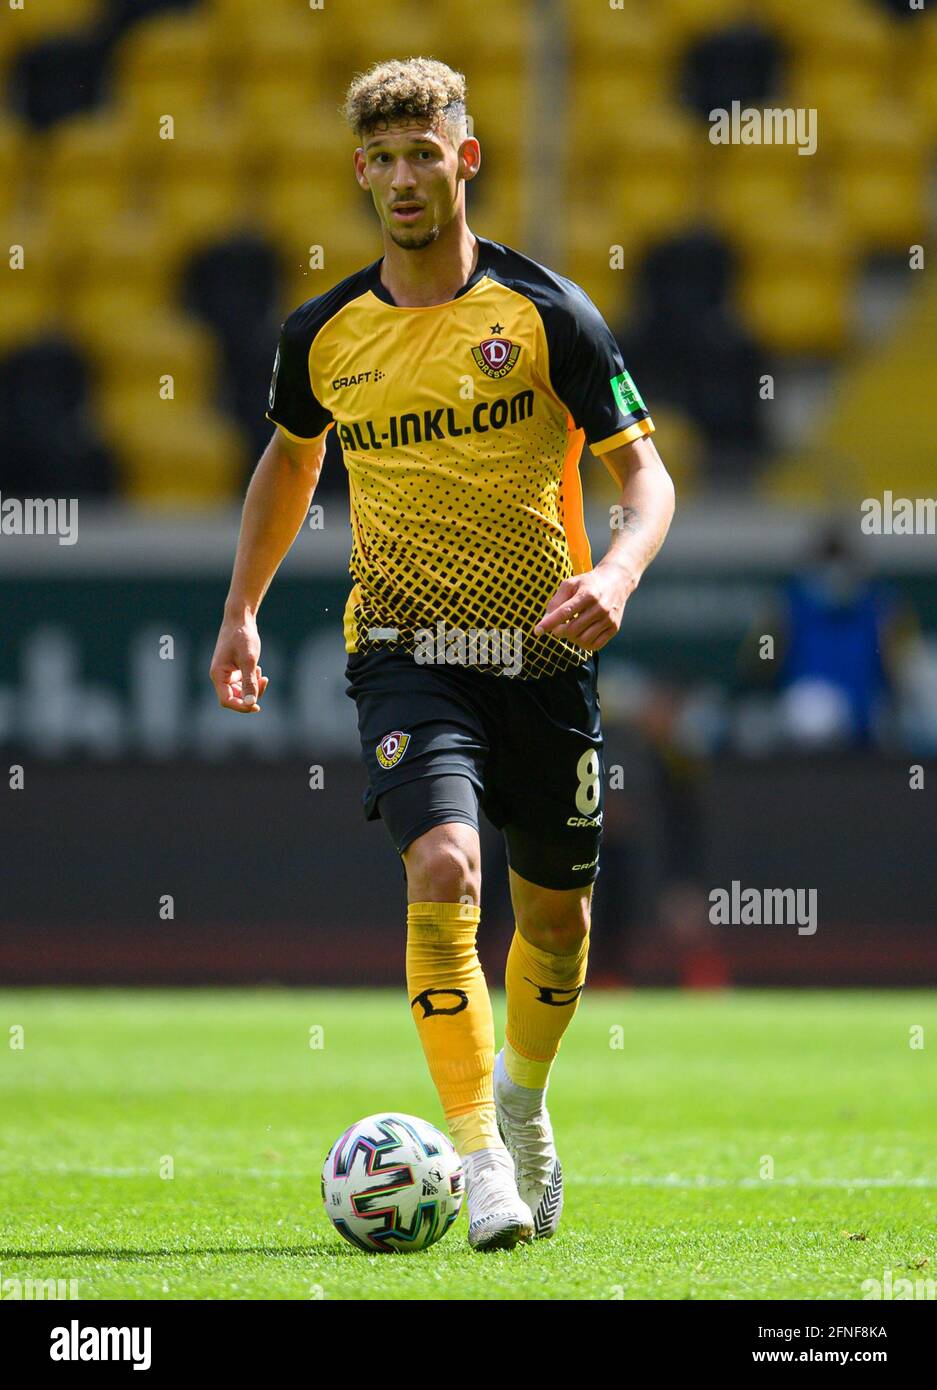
(585,358)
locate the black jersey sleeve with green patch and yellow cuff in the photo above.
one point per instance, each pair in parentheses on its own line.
(589,376)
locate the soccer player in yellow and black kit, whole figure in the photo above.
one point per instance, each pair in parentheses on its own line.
(462,380)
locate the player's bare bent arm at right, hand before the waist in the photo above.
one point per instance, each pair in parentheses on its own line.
(587,608)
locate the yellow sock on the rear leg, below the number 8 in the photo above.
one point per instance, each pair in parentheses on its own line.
(543,996)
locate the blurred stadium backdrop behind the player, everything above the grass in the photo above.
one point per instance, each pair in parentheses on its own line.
(174,179)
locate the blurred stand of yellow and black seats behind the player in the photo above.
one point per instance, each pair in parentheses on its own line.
(746,259)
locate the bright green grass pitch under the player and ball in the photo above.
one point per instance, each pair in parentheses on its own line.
(669,1111)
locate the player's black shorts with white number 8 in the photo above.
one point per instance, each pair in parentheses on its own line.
(528,751)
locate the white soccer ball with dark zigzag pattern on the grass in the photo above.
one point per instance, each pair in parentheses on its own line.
(393,1184)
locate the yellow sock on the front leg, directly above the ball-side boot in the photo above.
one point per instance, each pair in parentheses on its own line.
(453,1010)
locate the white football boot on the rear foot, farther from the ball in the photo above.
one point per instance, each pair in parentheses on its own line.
(529,1139)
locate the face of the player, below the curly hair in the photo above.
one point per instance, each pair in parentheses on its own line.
(414,176)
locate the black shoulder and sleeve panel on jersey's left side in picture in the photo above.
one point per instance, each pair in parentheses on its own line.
(293,402)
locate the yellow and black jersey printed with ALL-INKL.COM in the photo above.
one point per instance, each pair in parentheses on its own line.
(462,426)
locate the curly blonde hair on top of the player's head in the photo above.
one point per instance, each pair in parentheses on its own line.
(415,90)
